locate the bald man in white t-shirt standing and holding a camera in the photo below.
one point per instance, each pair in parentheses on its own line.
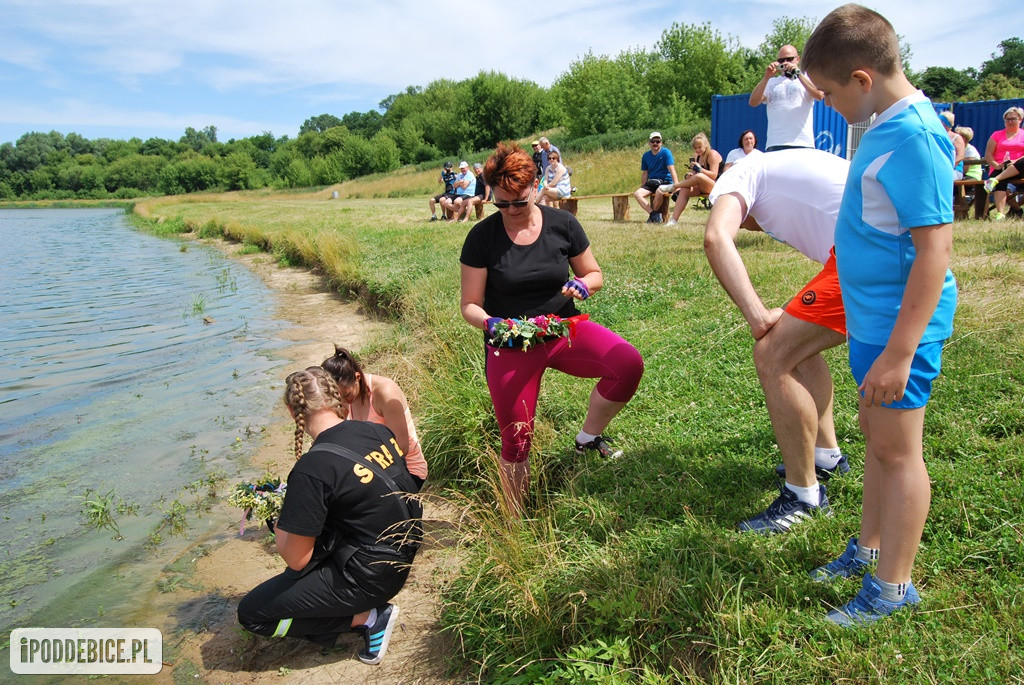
(790,97)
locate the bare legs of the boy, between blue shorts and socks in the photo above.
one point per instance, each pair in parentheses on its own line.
(898,490)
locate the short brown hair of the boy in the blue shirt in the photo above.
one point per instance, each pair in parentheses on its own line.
(849,38)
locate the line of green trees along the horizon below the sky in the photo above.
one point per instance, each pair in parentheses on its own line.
(665,88)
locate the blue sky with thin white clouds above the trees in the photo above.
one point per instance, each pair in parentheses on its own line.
(123,69)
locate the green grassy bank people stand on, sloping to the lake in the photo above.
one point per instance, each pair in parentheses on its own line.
(631,572)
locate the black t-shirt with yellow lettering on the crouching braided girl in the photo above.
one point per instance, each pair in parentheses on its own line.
(332,499)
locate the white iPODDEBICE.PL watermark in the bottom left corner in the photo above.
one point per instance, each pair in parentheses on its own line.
(87,651)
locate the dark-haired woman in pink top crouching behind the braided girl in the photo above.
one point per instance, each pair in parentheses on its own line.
(378,400)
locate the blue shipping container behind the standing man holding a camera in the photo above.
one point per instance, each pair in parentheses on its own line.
(732,115)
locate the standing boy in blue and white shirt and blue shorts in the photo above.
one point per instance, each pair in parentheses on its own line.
(893,242)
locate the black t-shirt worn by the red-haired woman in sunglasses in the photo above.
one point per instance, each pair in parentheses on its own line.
(527,280)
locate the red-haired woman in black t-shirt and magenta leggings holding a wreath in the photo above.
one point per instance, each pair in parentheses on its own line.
(524,270)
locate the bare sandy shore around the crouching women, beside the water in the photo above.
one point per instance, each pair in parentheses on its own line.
(203,640)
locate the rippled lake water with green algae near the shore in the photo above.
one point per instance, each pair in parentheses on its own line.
(112,380)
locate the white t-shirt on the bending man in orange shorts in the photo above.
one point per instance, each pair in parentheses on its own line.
(794,195)
